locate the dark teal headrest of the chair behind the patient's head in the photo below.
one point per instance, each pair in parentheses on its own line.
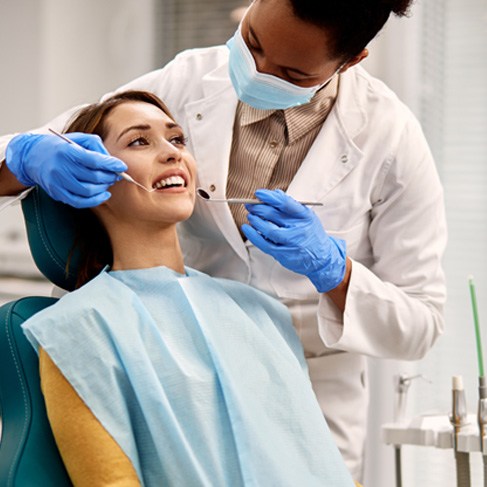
(51,233)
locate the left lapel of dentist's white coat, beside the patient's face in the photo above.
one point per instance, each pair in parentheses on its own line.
(210,125)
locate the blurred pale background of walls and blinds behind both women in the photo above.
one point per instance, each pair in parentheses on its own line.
(58,53)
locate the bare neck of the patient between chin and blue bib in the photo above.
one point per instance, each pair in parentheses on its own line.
(142,248)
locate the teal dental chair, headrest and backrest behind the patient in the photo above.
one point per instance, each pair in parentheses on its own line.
(28,453)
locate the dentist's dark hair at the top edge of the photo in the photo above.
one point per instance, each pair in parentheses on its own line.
(352,24)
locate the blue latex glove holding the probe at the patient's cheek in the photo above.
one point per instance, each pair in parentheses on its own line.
(78,176)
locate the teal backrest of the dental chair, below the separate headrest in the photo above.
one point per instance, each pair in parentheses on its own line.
(28,454)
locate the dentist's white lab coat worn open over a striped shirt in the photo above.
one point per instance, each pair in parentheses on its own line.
(371,167)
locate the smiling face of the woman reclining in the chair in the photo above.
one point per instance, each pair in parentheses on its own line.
(154,149)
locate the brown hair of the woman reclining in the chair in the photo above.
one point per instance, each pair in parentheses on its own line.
(92,241)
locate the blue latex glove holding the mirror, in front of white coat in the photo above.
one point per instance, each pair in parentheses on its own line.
(294,236)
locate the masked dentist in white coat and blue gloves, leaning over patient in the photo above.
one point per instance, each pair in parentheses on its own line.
(284,111)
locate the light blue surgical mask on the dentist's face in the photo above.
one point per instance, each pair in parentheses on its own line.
(260,90)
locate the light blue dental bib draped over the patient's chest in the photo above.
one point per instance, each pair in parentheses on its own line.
(201,381)
